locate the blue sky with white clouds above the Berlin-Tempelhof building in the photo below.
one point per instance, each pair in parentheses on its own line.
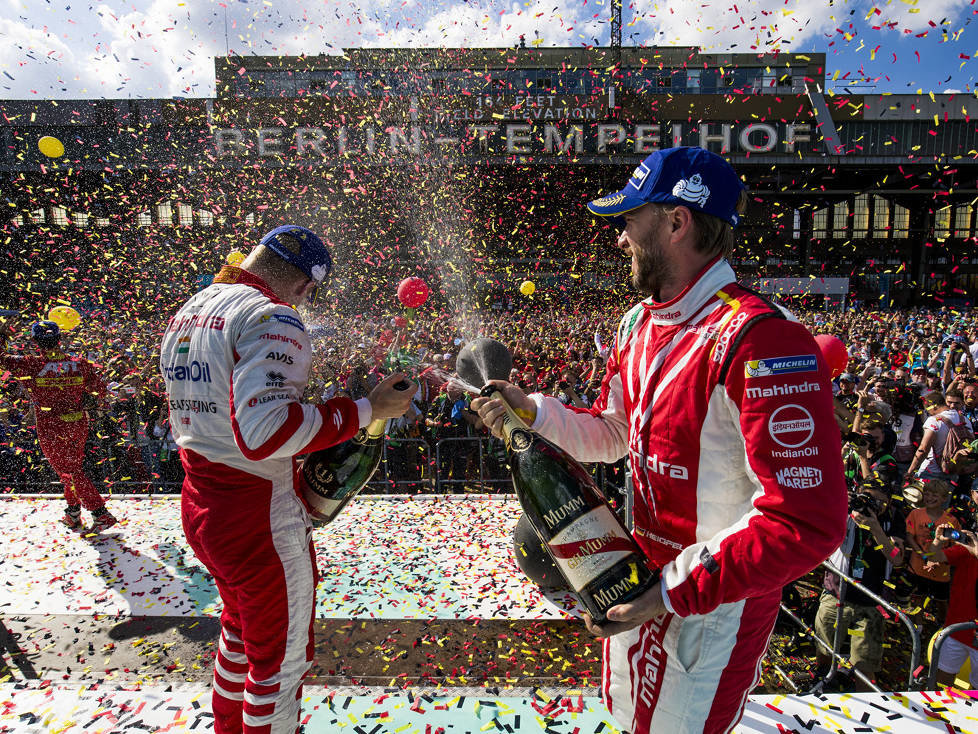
(163,48)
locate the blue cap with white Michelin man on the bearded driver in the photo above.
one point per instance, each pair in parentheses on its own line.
(690,177)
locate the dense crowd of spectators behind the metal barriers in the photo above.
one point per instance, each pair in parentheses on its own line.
(905,408)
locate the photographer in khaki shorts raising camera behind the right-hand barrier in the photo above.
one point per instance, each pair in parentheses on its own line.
(873,546)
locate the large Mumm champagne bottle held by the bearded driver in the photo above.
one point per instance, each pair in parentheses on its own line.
(592,548)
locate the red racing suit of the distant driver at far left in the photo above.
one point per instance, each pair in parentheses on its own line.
(58,387)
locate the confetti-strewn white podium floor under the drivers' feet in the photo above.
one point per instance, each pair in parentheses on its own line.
(424,623)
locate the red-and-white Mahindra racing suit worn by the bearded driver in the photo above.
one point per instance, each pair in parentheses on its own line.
(724,407)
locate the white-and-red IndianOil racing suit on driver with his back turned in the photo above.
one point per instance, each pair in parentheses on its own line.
(236,361)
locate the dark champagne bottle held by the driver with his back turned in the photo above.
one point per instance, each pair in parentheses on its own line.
(333,476)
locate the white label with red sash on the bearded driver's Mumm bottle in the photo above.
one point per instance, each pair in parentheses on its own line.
(589,546)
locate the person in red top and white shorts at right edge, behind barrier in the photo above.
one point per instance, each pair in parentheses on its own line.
(959,549)
